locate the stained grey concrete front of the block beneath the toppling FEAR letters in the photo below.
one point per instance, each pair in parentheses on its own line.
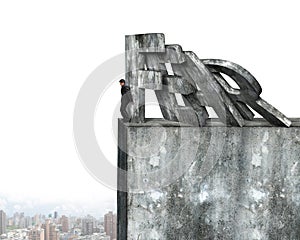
(213,182)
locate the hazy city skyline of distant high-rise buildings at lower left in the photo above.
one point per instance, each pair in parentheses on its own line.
(57,227)
